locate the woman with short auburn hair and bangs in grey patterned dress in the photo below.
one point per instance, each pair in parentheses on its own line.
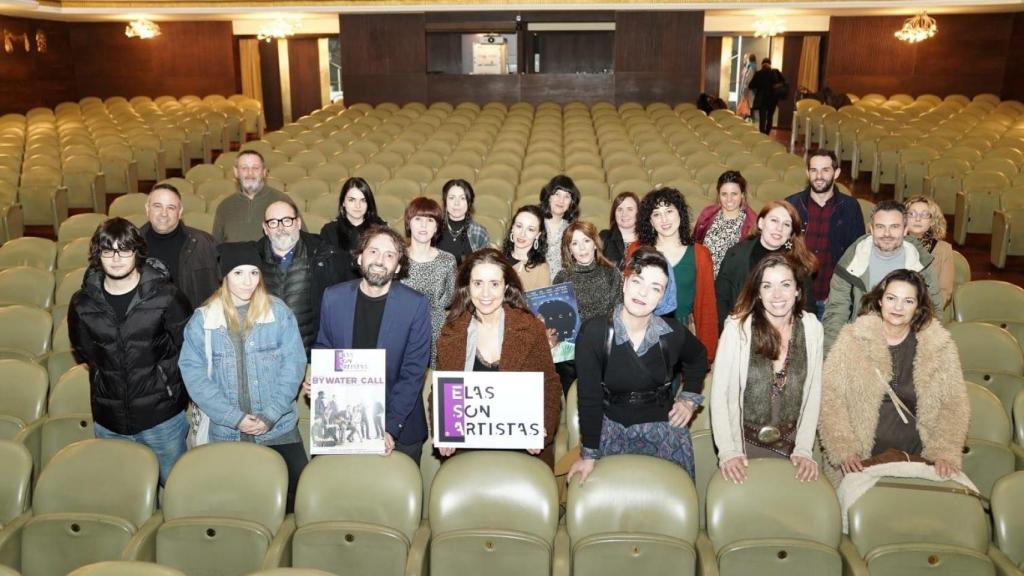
(432,271)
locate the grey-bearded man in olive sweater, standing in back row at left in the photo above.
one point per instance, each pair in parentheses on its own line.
(240,216)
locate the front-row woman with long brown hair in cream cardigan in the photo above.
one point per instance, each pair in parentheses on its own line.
(766,388)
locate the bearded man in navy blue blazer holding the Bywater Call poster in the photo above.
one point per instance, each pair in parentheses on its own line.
(377,313)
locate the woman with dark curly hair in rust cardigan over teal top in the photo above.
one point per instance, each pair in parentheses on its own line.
(664,223)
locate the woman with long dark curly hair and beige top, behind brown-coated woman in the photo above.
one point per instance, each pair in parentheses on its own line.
(527,246)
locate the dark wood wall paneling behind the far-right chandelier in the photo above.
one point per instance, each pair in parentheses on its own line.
(968,56)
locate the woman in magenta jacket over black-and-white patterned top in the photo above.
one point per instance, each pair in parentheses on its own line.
(731,220)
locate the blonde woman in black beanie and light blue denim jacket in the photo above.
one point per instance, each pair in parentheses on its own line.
(245,336)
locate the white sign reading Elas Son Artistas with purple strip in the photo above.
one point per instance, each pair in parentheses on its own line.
(489,410)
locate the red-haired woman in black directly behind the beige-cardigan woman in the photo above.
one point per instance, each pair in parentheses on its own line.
(779,230)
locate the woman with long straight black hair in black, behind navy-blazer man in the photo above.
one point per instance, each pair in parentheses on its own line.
(357,213)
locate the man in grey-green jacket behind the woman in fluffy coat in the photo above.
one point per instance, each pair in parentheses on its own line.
(869,260)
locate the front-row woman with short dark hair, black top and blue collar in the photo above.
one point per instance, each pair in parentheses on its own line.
(627,368)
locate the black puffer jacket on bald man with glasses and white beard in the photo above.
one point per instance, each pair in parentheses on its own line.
(302,286)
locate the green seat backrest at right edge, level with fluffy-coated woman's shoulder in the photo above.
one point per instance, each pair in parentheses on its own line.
(984,347)
